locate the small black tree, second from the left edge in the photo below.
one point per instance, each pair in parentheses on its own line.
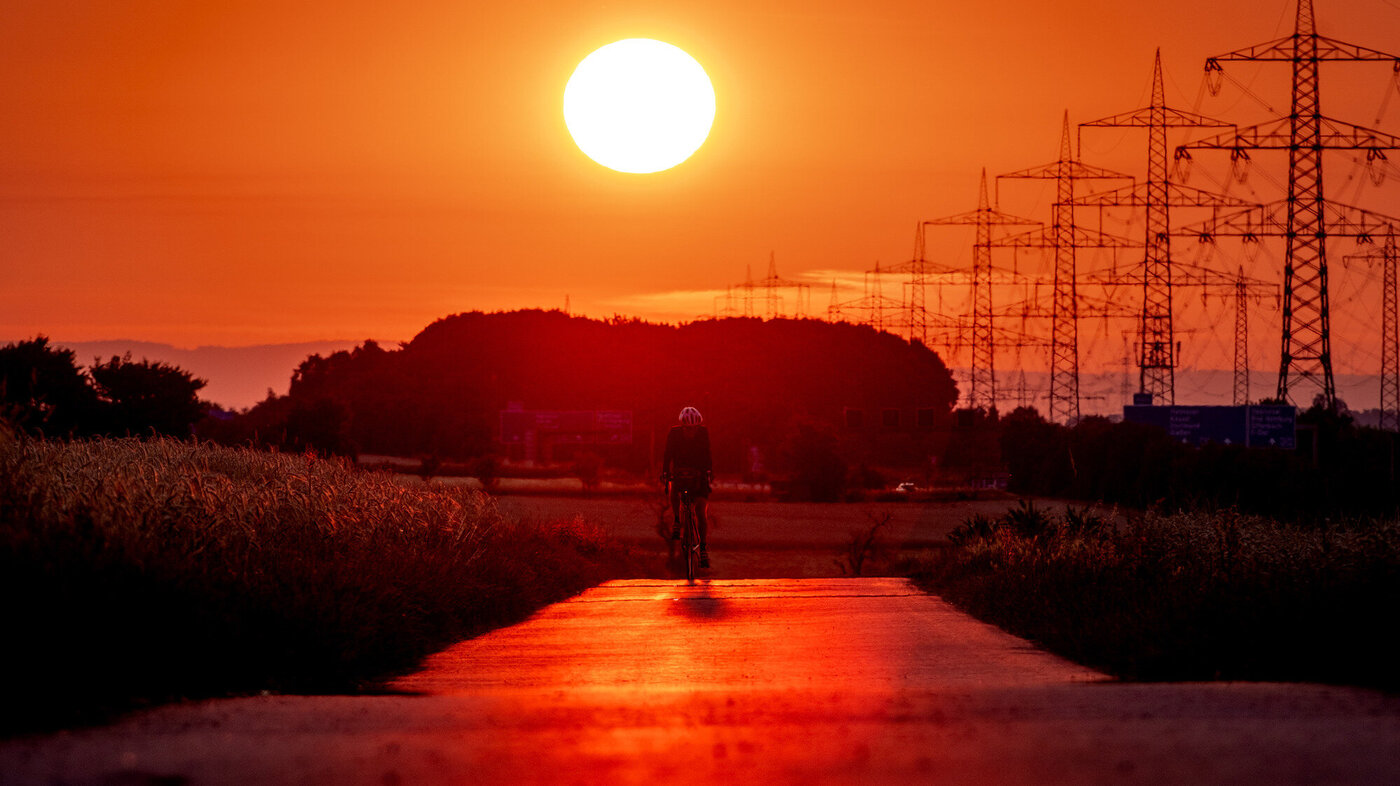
(142,399)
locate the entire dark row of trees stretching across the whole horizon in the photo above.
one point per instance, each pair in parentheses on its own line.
(772,389)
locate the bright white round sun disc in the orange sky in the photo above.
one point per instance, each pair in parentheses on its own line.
(639,106)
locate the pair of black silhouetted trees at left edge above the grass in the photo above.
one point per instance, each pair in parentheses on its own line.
(44,392)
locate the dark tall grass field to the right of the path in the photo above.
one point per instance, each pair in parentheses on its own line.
(1200,596)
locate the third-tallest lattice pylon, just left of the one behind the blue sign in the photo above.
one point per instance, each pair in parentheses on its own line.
(1065,324)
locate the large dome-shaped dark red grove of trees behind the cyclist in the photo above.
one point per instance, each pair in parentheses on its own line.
(754,380)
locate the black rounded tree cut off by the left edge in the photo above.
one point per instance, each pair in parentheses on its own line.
(43,390)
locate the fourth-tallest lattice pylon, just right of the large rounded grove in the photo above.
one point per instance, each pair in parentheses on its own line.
(983,390)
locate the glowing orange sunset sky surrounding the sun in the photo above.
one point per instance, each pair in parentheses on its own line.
(216,172)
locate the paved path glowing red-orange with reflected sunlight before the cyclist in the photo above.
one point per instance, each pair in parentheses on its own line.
(783,682)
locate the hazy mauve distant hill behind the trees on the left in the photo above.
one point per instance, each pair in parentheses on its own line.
(239,376)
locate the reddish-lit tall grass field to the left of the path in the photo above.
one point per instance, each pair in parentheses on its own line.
(149,571)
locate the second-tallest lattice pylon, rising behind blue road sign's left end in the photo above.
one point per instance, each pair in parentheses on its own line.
(1157,357)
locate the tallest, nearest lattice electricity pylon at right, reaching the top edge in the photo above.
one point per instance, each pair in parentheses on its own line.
(1311,218)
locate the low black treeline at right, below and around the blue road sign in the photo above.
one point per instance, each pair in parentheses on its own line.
(1352,471)
